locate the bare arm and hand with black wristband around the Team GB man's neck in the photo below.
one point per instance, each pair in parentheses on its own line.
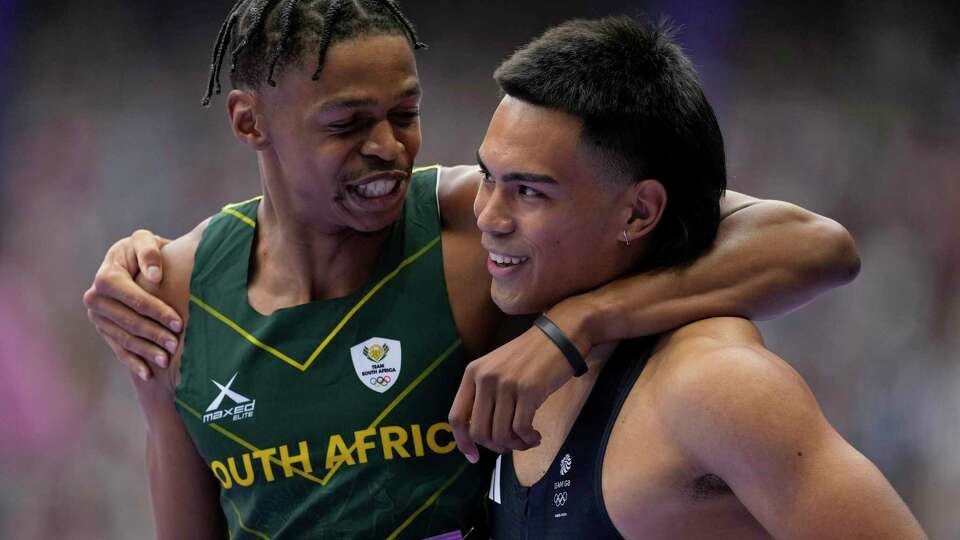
(769,257)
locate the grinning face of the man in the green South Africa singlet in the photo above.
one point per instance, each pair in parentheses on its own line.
(337,152)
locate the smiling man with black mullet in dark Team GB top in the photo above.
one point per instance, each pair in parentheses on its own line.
(700,432)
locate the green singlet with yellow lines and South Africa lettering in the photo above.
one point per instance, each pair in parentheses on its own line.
(328,420)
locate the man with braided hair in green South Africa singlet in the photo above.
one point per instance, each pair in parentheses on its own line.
(327,322)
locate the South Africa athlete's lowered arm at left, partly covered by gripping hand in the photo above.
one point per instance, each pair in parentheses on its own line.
(184,492)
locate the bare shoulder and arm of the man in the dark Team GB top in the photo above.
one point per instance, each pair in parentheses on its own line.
(744,415)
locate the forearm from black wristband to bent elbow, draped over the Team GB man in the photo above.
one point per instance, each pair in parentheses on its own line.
(769,258)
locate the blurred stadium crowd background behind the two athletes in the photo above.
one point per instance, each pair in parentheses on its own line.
(849,108)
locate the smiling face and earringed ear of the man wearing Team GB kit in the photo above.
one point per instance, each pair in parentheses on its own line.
(552,223)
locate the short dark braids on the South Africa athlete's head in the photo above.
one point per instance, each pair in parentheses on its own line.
(268,34)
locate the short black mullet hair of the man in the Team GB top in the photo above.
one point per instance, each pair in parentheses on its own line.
(644,113)
